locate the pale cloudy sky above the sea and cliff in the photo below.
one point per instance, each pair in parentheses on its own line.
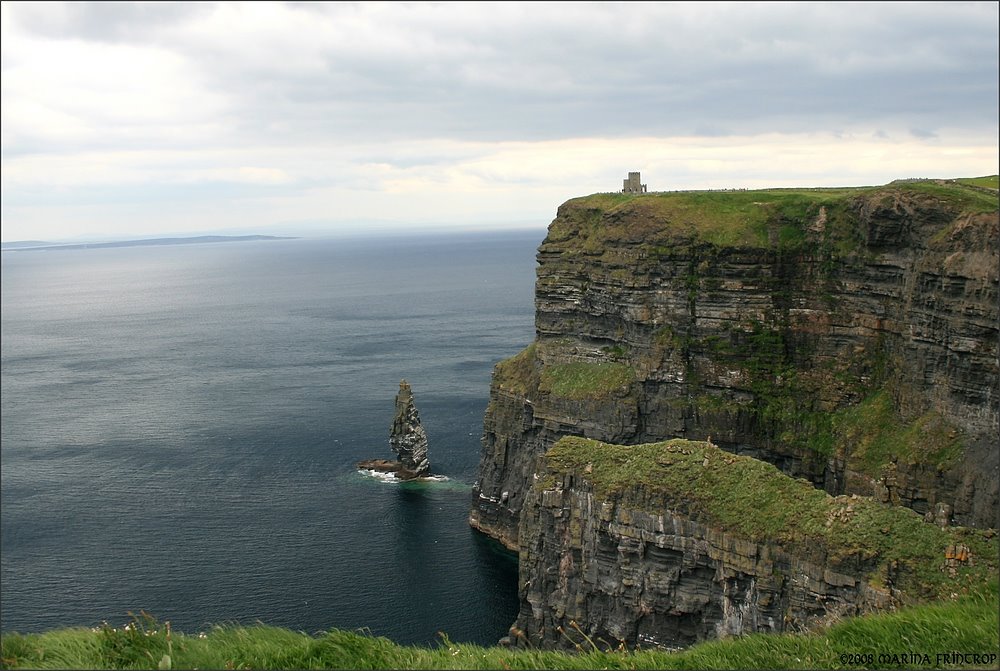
(129,120)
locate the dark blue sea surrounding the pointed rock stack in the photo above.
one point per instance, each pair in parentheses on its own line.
(180,427)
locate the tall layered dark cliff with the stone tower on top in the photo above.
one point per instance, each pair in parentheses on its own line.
(849,337)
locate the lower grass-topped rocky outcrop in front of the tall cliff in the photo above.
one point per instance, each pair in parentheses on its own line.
(669,544)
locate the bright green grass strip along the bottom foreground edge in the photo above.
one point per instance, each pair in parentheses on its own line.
(966,624)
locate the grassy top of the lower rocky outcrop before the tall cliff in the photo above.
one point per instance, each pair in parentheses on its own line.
(753,499)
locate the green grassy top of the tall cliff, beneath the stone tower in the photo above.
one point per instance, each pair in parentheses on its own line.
(762,218)
